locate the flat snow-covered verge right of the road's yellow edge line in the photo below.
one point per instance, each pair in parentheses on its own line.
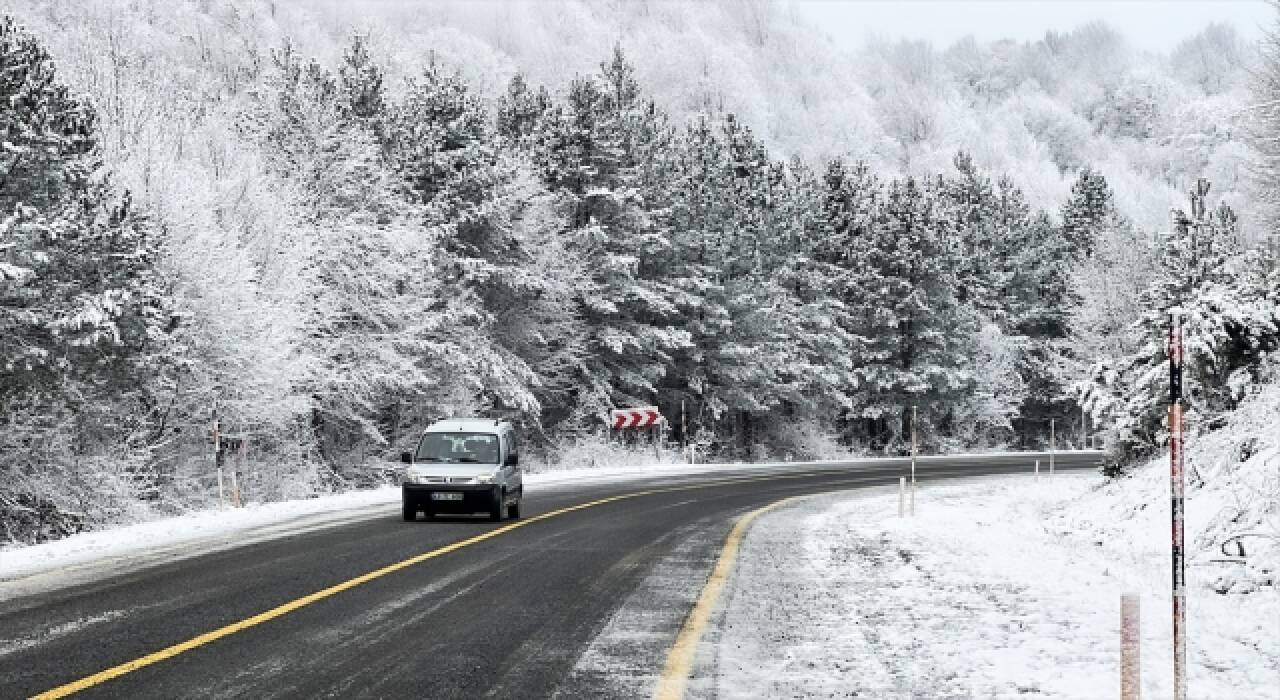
(999,588)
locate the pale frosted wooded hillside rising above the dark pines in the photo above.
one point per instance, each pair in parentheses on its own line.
(1037,112)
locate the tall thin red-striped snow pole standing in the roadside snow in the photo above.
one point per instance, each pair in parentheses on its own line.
(1176,478)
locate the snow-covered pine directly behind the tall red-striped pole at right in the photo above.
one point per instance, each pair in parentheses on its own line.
(1231,324)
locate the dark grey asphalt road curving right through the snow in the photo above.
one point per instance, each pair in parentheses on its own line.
(508,616)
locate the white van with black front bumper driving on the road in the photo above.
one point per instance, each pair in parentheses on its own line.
(464,466)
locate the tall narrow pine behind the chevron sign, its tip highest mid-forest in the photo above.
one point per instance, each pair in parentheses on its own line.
(598,154)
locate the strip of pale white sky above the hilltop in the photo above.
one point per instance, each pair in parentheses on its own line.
(1151,25)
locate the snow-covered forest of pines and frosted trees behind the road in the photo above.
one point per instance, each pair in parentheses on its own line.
(324,231)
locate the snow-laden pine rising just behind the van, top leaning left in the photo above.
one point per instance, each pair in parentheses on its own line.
(496,221)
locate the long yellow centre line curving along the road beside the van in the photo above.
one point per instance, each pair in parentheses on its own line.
(170,652)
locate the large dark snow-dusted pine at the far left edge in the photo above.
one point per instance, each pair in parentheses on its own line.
(85,356)
